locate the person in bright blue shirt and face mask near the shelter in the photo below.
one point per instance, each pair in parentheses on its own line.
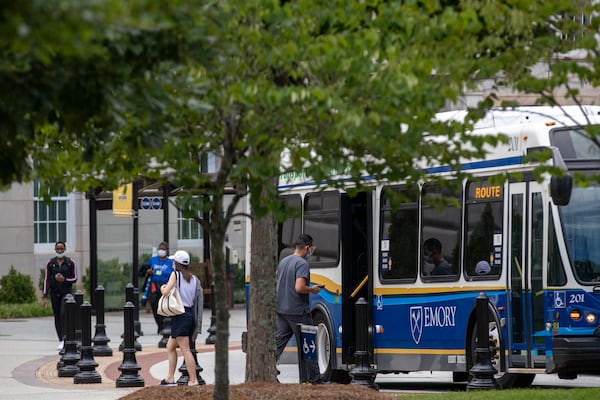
(158,269)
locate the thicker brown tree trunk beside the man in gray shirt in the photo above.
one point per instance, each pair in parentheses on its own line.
(260,359)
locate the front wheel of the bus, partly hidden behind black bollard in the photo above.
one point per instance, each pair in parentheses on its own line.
(503,379)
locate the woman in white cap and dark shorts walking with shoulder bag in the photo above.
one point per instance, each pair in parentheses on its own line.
(187,325)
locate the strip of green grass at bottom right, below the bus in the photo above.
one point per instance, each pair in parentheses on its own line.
(514,394)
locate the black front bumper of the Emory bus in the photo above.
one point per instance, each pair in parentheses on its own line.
(576,355)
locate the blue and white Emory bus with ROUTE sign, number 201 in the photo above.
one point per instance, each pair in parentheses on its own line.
(532,246)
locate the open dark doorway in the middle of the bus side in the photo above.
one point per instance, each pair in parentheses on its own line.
(357,256)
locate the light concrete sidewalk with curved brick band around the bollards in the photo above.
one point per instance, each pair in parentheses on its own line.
(29,356)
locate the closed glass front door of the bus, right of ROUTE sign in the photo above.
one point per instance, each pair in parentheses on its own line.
(528,224)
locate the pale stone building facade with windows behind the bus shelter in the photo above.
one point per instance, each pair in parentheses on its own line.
(30,227)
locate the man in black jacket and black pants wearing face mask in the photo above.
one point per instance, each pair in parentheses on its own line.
(60,276)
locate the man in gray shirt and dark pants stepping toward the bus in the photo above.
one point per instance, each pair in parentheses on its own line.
(293,278)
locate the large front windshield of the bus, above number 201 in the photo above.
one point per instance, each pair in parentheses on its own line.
(581,222)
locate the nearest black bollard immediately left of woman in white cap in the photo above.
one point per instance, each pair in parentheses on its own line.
(129,368)
